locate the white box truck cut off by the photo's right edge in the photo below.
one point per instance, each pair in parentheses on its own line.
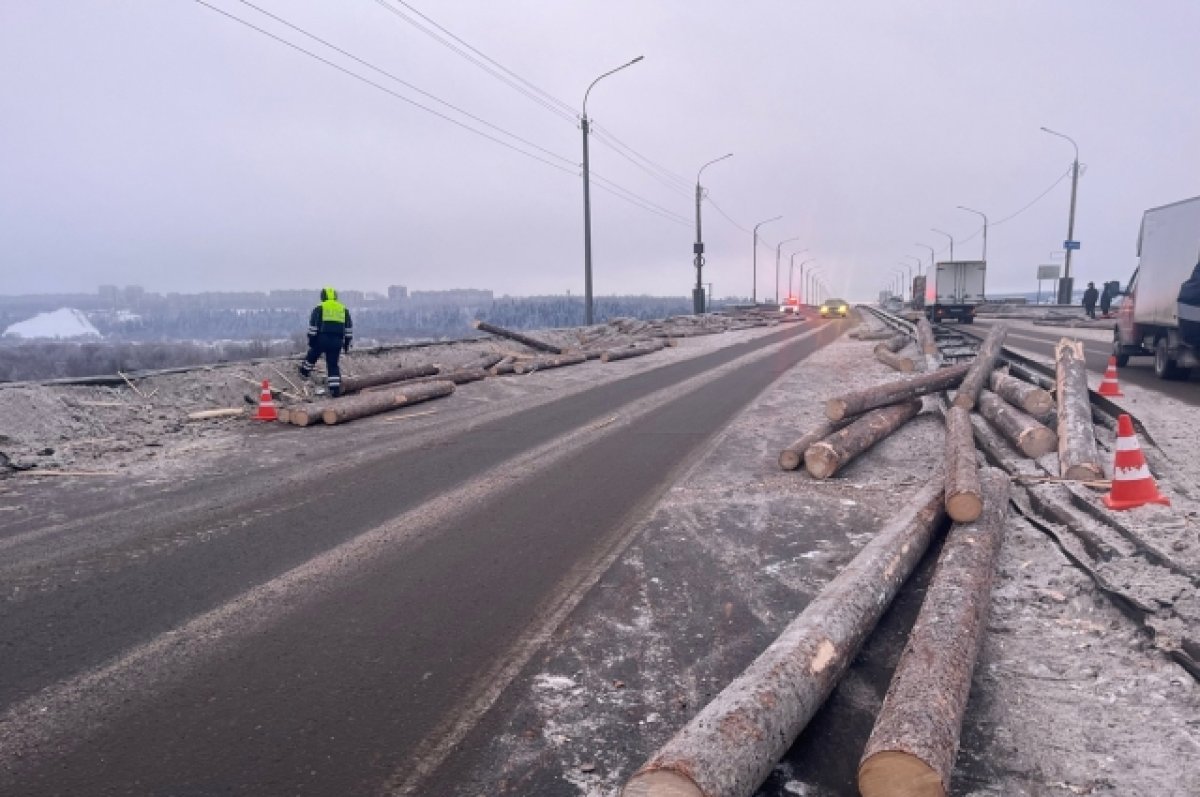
(1149,317)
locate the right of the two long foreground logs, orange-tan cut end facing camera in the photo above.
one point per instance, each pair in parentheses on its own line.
(913,748)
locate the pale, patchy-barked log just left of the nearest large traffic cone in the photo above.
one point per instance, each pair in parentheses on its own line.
(1078,456)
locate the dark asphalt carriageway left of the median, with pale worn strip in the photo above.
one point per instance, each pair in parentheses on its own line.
(261,634)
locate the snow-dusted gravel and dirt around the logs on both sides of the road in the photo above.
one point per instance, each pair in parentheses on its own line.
(1071,696)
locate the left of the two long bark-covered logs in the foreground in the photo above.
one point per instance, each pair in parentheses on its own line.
(735,742)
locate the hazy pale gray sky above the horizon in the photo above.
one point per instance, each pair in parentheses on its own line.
(157,142)
